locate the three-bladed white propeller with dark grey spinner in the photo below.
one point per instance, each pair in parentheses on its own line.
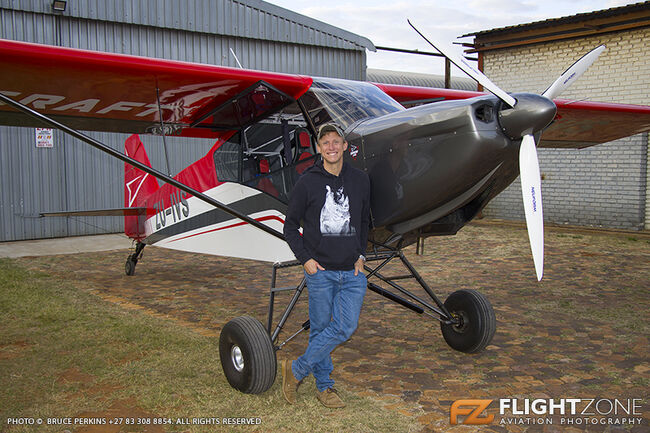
(531,184)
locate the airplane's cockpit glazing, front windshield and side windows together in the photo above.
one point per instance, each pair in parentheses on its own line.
(270,154)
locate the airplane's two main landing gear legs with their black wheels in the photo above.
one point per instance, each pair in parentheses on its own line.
(248,351)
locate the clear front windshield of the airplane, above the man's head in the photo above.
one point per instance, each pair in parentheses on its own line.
(347,102)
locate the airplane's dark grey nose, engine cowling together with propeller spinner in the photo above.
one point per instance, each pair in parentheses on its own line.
(434,167)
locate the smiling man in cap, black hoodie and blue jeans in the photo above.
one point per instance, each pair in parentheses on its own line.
(332,201)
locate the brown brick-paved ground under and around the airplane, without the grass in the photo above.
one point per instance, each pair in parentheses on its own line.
(583,332)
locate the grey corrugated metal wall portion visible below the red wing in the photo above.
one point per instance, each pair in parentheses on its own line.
(71,176)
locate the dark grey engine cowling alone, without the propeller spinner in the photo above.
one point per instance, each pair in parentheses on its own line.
(411,154)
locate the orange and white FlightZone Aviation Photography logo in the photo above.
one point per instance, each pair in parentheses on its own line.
(541,411)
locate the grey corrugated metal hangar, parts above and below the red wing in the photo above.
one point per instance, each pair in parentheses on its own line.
(73,176)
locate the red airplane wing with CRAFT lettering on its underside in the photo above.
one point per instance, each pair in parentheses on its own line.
(90,90)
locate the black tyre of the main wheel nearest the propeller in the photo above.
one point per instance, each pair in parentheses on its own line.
(477,321)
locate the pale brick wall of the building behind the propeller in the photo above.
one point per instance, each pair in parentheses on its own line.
(605,185)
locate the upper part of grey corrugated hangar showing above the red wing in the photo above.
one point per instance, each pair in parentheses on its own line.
(263,36)
